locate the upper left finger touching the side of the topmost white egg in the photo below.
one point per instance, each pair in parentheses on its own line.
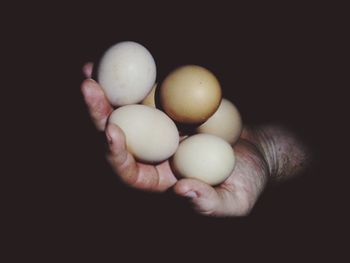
(97,103)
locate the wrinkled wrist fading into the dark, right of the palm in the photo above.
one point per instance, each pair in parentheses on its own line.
(285,154)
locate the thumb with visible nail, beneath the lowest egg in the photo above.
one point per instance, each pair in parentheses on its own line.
(203,196)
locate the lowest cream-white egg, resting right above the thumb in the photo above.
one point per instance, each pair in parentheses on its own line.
(204,157)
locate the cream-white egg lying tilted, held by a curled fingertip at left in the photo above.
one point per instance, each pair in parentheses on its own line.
(151,136)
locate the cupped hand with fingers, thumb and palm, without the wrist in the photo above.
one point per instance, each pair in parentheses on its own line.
(234,197)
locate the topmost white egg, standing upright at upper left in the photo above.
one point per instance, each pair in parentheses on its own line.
(126,72)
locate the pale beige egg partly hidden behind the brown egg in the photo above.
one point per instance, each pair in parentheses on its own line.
(225,123)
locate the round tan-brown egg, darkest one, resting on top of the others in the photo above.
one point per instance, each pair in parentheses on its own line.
(190,94)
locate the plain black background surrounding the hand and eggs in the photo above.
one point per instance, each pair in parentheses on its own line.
(278,64)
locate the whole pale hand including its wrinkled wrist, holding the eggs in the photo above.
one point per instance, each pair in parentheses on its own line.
(263,154)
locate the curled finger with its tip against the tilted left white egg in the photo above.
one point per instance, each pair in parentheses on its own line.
(121,160)
